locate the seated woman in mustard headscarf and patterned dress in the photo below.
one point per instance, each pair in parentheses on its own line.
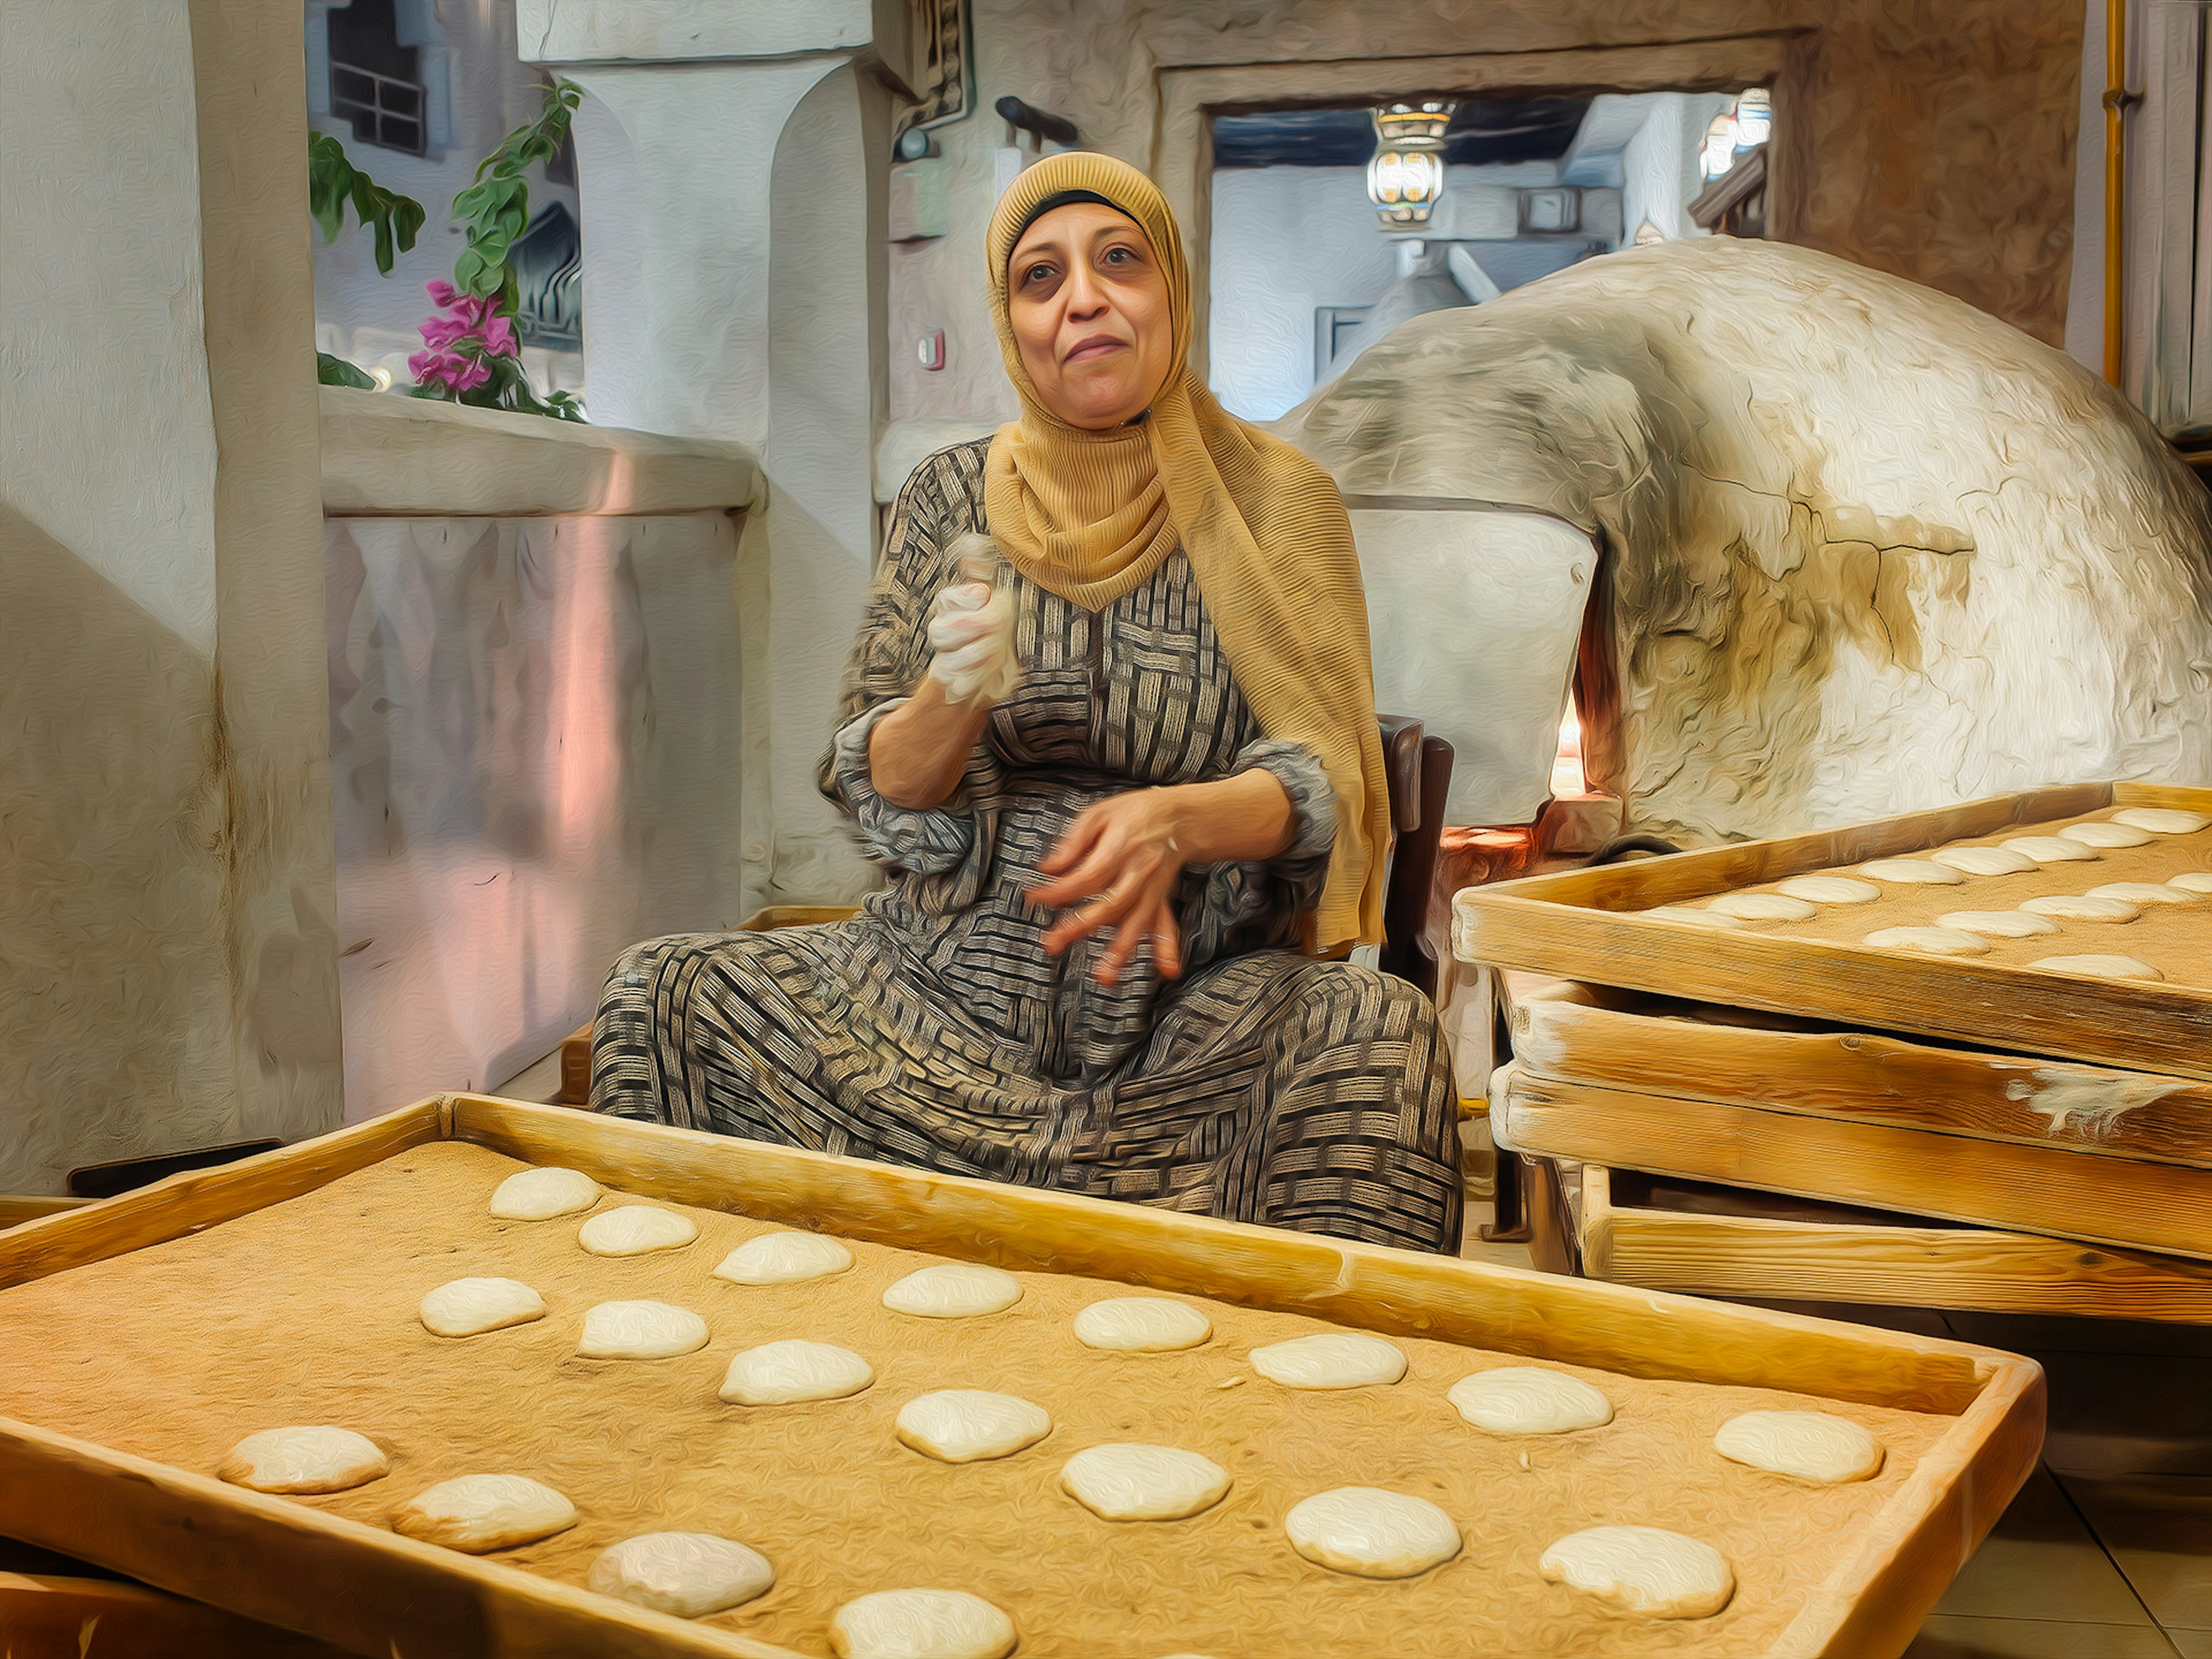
(1120,764)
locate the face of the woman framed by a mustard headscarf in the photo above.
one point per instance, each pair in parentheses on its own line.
(1089,309)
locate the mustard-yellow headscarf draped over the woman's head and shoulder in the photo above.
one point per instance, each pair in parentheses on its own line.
(1092,514)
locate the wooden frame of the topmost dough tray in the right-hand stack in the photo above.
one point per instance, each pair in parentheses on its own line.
(1576,926)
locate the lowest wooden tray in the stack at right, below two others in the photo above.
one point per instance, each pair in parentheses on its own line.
(1722,1242)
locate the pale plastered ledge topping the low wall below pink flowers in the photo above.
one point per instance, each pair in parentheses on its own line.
(390,457)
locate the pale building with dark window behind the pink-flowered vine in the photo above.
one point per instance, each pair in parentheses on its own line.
(421,92)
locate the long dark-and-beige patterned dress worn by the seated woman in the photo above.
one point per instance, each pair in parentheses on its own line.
(937,1032)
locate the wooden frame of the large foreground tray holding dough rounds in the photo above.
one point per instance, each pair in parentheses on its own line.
(373,1592)
